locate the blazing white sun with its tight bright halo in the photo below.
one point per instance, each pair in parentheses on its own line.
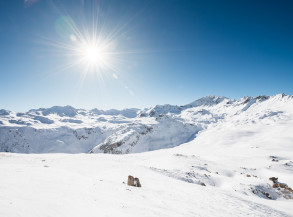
(90,48)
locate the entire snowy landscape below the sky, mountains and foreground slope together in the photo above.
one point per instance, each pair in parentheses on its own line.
(212,157)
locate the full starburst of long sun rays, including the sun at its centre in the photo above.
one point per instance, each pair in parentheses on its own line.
(94,48)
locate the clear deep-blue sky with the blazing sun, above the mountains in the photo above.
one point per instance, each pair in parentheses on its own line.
(154,51)
